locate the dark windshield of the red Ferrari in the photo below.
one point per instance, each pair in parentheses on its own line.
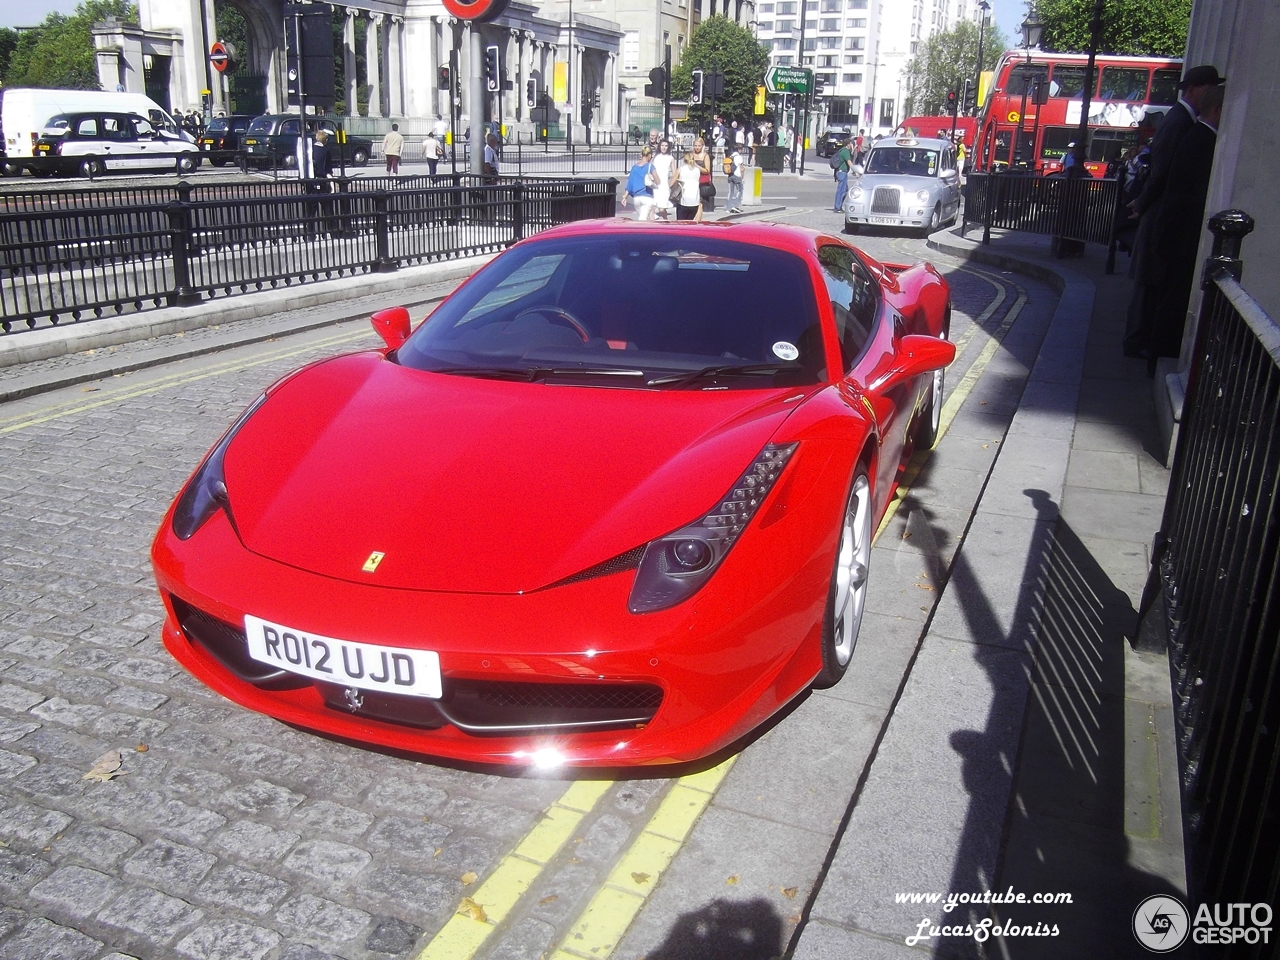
(632,310)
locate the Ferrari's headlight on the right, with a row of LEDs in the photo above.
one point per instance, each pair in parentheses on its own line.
(676,566)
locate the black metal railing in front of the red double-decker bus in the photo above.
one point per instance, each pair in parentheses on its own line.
(1084,209)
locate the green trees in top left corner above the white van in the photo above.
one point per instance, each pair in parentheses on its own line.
(60,53)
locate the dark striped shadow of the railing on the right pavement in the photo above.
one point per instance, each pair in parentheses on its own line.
(1069,829)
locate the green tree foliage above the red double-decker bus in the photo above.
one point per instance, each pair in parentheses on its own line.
(1133,28)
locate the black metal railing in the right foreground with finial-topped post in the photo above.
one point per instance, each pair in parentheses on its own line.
(1214,595)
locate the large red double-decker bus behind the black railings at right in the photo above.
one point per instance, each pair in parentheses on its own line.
(1130,99)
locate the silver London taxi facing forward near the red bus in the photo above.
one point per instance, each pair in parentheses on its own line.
(904,182)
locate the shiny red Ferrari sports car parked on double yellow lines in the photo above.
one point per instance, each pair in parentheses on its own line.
(611,504)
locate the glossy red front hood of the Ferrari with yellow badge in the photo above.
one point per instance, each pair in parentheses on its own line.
(479,486)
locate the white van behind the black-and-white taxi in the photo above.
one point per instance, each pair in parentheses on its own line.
(25,112)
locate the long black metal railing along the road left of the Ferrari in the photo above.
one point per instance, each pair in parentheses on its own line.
(74,262)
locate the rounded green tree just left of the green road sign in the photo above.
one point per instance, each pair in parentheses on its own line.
(720,44)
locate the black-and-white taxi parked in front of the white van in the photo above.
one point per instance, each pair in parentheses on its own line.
(93,144)
